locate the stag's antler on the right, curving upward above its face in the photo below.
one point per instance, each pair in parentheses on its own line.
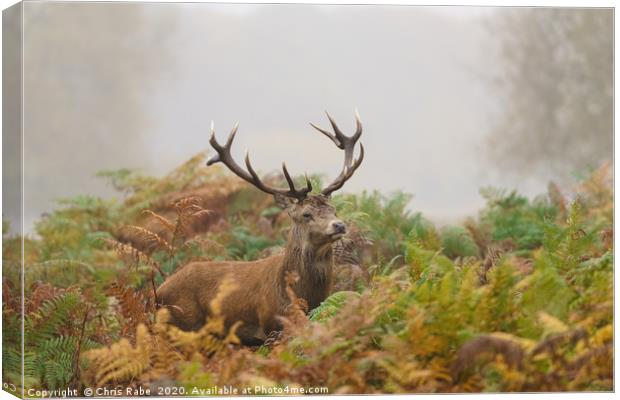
(346,143)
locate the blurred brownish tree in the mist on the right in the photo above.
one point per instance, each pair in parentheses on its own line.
(555,89)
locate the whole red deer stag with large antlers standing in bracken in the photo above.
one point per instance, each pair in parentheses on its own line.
(260,294)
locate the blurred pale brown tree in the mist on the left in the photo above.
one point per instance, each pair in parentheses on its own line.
(89,70)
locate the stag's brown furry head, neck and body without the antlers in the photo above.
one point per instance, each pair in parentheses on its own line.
(260,296)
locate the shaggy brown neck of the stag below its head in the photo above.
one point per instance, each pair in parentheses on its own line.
(314,267)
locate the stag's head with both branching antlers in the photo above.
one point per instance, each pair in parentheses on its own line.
(314,218)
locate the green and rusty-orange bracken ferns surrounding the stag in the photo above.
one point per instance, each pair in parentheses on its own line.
(518,298)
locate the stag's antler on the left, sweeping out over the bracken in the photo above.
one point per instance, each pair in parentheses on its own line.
(223,155)
